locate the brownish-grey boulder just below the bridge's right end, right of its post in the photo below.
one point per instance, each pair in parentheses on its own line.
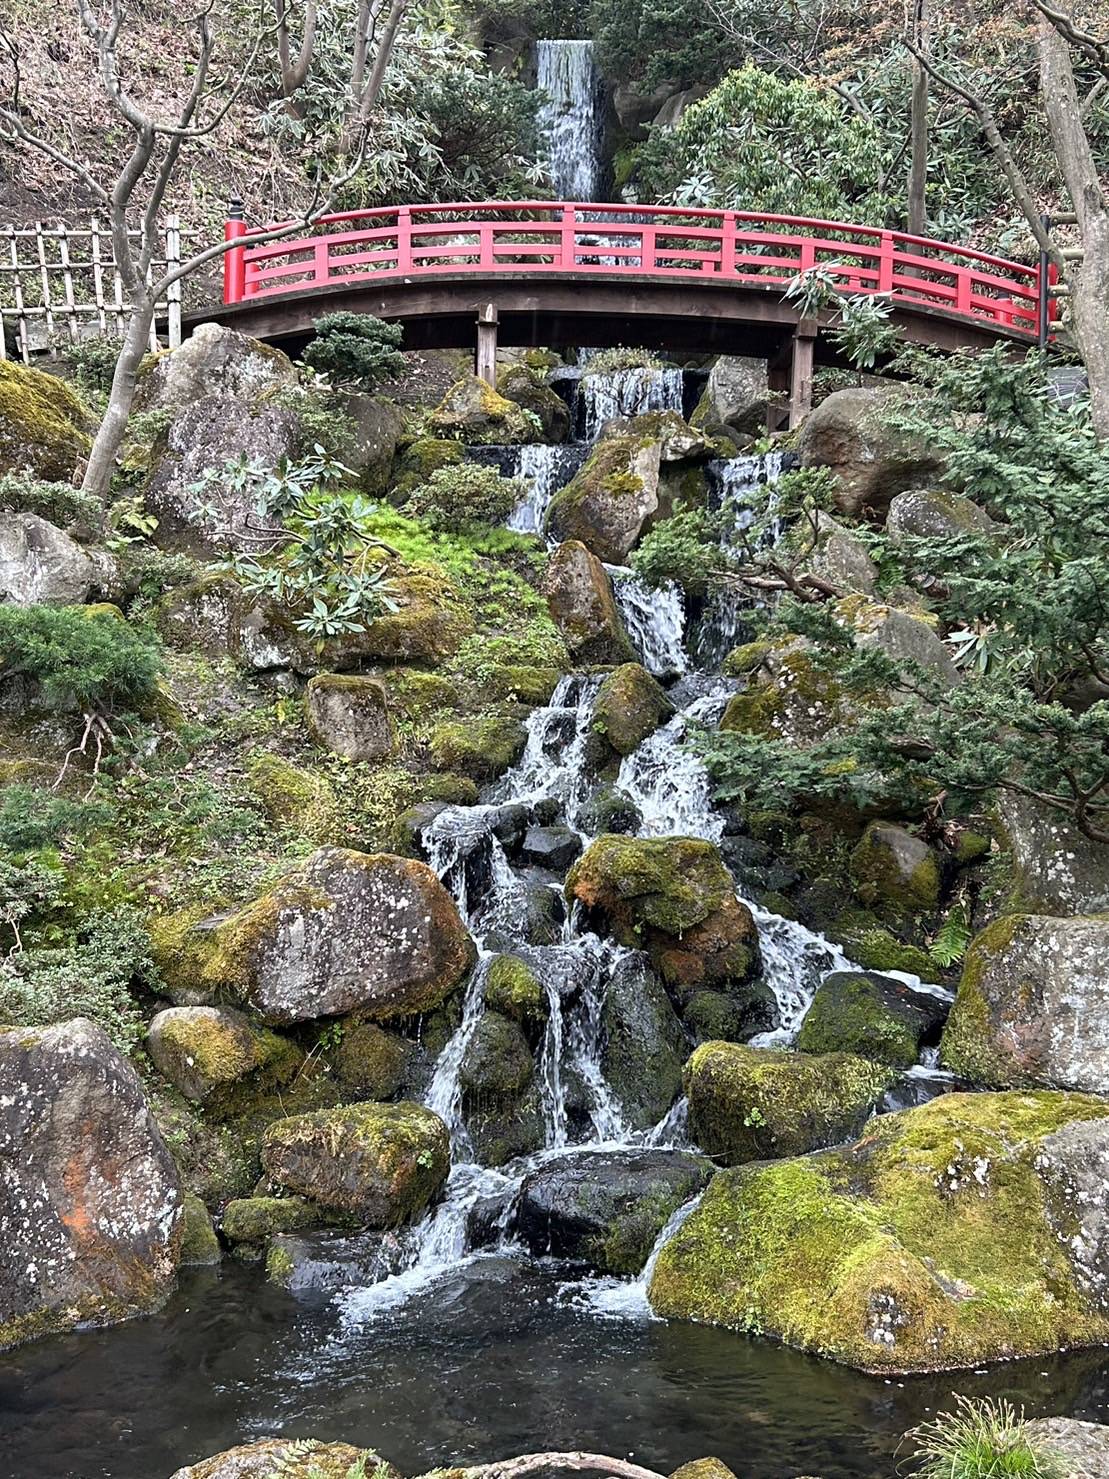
(849,434)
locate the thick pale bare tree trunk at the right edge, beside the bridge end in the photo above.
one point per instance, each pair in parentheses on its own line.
(1089,282)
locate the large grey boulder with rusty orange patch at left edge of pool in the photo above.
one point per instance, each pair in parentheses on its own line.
(91,1199)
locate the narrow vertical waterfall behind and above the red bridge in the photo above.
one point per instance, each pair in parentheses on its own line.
(572,118)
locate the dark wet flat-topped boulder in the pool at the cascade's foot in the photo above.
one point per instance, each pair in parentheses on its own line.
(607,1209)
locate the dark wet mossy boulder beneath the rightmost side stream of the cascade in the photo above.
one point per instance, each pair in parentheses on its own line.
(872,1015)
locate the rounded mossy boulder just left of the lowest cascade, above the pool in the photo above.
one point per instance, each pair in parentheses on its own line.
(382,1163)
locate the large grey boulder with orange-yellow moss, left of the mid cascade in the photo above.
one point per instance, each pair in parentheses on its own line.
(344,933)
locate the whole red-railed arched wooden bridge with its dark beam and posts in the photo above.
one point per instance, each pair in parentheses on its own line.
(566,274)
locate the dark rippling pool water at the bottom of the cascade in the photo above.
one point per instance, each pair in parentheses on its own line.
(486,1366)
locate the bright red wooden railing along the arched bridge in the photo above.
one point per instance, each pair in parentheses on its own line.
(656,242)
